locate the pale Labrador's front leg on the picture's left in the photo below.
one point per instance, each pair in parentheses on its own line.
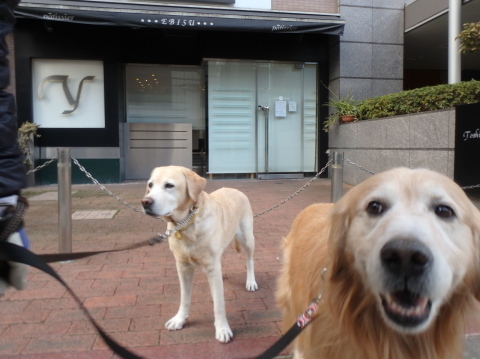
(185,275)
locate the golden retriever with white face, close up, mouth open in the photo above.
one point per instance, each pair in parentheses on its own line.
(401,252)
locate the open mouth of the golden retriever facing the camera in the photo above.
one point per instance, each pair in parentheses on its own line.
(405,308)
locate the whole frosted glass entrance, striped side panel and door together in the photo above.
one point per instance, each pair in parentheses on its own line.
(261,117)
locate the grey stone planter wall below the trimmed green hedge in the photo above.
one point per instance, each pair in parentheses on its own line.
(418,140)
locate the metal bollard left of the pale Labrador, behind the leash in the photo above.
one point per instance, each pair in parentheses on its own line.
(64,175)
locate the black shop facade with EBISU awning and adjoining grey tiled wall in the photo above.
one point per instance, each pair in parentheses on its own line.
(230,88)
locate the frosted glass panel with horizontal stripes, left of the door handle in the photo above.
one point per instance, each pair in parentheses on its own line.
(231,122)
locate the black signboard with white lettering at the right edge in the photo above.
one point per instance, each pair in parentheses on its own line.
(467,147)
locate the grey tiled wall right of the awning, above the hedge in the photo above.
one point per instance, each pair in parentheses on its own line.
(368,59)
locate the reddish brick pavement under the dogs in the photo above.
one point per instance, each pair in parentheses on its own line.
(131,294)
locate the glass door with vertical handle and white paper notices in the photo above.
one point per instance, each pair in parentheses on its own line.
(286,118)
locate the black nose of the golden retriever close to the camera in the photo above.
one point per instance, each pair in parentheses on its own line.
(405,257)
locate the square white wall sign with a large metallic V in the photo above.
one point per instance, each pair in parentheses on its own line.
(68,93)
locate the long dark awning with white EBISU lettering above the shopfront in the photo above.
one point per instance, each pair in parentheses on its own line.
(177,17)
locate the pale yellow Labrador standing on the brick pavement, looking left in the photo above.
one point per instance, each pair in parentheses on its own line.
(173,192)
